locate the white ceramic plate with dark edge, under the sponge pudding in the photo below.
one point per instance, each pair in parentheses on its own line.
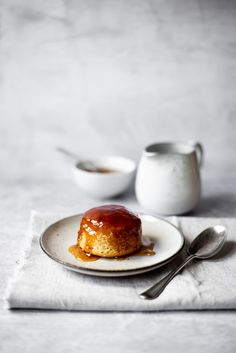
(58,237)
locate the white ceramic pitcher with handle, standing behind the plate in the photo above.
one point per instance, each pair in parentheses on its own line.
(168,177)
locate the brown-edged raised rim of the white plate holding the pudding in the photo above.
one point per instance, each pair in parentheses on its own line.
(78,268)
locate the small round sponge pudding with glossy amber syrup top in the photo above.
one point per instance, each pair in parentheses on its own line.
(110,231)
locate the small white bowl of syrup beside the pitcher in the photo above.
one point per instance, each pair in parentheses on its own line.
(105,185)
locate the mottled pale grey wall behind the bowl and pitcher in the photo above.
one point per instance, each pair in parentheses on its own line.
(113,76)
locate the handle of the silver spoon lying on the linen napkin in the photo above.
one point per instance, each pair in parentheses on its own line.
(154,291)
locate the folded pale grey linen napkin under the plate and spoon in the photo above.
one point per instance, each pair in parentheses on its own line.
(40,283)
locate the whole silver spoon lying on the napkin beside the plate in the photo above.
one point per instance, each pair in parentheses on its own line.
(205,245)
